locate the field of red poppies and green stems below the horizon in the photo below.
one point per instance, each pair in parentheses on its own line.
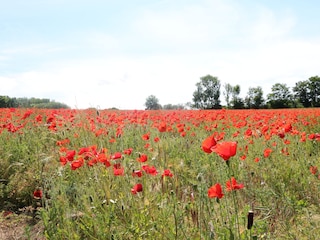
(165,174)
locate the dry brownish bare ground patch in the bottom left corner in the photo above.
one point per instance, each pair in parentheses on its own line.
(20,226)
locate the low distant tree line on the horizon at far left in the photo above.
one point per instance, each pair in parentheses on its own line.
(7,102)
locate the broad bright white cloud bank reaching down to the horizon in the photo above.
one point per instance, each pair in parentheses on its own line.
(164,52)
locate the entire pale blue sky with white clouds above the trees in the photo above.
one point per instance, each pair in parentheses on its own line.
(116,53)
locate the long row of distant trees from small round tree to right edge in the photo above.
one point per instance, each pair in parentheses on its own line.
(207,95)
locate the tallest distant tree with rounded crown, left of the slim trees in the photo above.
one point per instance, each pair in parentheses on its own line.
(207,94)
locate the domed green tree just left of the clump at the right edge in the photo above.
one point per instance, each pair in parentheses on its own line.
(280,96)
